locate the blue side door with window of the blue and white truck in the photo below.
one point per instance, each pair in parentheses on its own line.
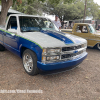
(10,39)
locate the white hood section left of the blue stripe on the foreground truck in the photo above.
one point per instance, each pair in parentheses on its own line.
(43,40)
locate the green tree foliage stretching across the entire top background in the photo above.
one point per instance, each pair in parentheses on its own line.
(65,9)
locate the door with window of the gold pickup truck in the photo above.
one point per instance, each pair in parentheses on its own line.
(82,31)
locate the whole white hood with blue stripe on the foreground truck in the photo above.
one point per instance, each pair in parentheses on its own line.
(53,38)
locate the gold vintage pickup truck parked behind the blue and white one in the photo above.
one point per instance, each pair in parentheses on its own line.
(86,31)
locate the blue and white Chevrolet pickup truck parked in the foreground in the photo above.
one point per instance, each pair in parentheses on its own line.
(42,47)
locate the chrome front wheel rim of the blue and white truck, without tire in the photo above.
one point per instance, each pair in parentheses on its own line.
(28,62)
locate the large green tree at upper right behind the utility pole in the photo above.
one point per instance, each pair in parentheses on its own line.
(72,11)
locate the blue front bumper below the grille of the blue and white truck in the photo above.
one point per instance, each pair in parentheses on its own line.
(61,65)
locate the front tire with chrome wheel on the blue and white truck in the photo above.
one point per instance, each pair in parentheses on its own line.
(30,62)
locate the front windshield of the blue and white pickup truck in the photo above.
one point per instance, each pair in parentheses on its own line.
(32,24)
